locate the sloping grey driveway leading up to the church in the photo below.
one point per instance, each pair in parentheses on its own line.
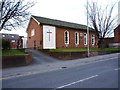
(41,58)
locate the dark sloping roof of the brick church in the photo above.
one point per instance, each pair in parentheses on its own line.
(60,23)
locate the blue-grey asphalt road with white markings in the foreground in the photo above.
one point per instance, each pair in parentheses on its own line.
(102,74)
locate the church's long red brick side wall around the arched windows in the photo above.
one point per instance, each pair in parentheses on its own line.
(60,38)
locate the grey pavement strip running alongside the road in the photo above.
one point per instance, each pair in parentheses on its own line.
(52,66)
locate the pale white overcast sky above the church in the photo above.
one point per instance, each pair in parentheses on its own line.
(65,10)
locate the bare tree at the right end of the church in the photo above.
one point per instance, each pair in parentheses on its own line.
(101,20)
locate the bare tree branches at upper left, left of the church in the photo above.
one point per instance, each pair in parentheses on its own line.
(14,13)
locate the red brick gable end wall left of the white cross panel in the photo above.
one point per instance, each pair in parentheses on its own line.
(38,34)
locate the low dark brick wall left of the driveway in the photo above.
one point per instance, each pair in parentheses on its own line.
(15,61)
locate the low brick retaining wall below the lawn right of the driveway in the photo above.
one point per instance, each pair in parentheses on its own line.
(74,55)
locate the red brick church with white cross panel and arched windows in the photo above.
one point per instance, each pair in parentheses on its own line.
(45,33)
